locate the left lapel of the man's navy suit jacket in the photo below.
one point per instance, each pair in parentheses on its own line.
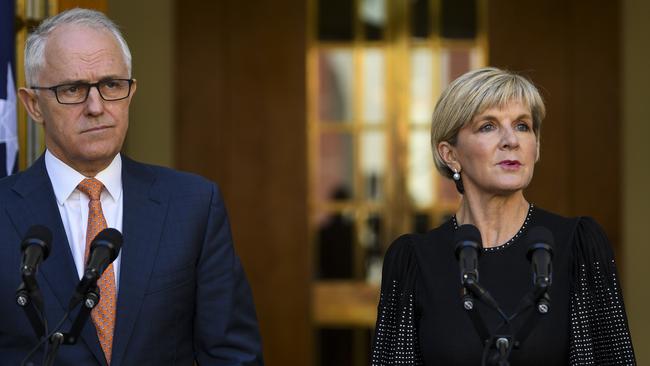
(58,272)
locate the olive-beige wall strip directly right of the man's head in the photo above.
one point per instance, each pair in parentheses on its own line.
(149,29)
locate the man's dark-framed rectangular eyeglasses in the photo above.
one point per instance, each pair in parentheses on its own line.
(77,93)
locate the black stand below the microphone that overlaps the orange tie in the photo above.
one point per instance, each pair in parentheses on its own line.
(89,301)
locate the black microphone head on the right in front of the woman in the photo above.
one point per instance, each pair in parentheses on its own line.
(540,254)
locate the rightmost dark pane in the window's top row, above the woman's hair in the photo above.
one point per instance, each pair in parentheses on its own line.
(458,19)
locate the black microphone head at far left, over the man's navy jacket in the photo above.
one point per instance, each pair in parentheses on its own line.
(35,248)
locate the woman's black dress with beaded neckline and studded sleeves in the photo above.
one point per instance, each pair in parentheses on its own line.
(421,320)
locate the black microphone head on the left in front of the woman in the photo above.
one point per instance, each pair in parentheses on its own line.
(468,245)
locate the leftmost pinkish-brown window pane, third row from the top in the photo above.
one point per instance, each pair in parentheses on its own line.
(335,168)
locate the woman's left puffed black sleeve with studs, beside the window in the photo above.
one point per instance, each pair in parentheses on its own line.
(396,340)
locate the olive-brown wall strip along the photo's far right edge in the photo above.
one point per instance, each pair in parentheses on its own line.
(636,153)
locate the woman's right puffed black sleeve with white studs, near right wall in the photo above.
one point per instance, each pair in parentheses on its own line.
(599,330)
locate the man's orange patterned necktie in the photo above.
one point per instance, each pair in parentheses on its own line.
(103,314)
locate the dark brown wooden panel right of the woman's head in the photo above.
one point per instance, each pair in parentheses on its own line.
(571,50)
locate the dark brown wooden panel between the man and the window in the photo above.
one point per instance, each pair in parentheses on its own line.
(241,121)
